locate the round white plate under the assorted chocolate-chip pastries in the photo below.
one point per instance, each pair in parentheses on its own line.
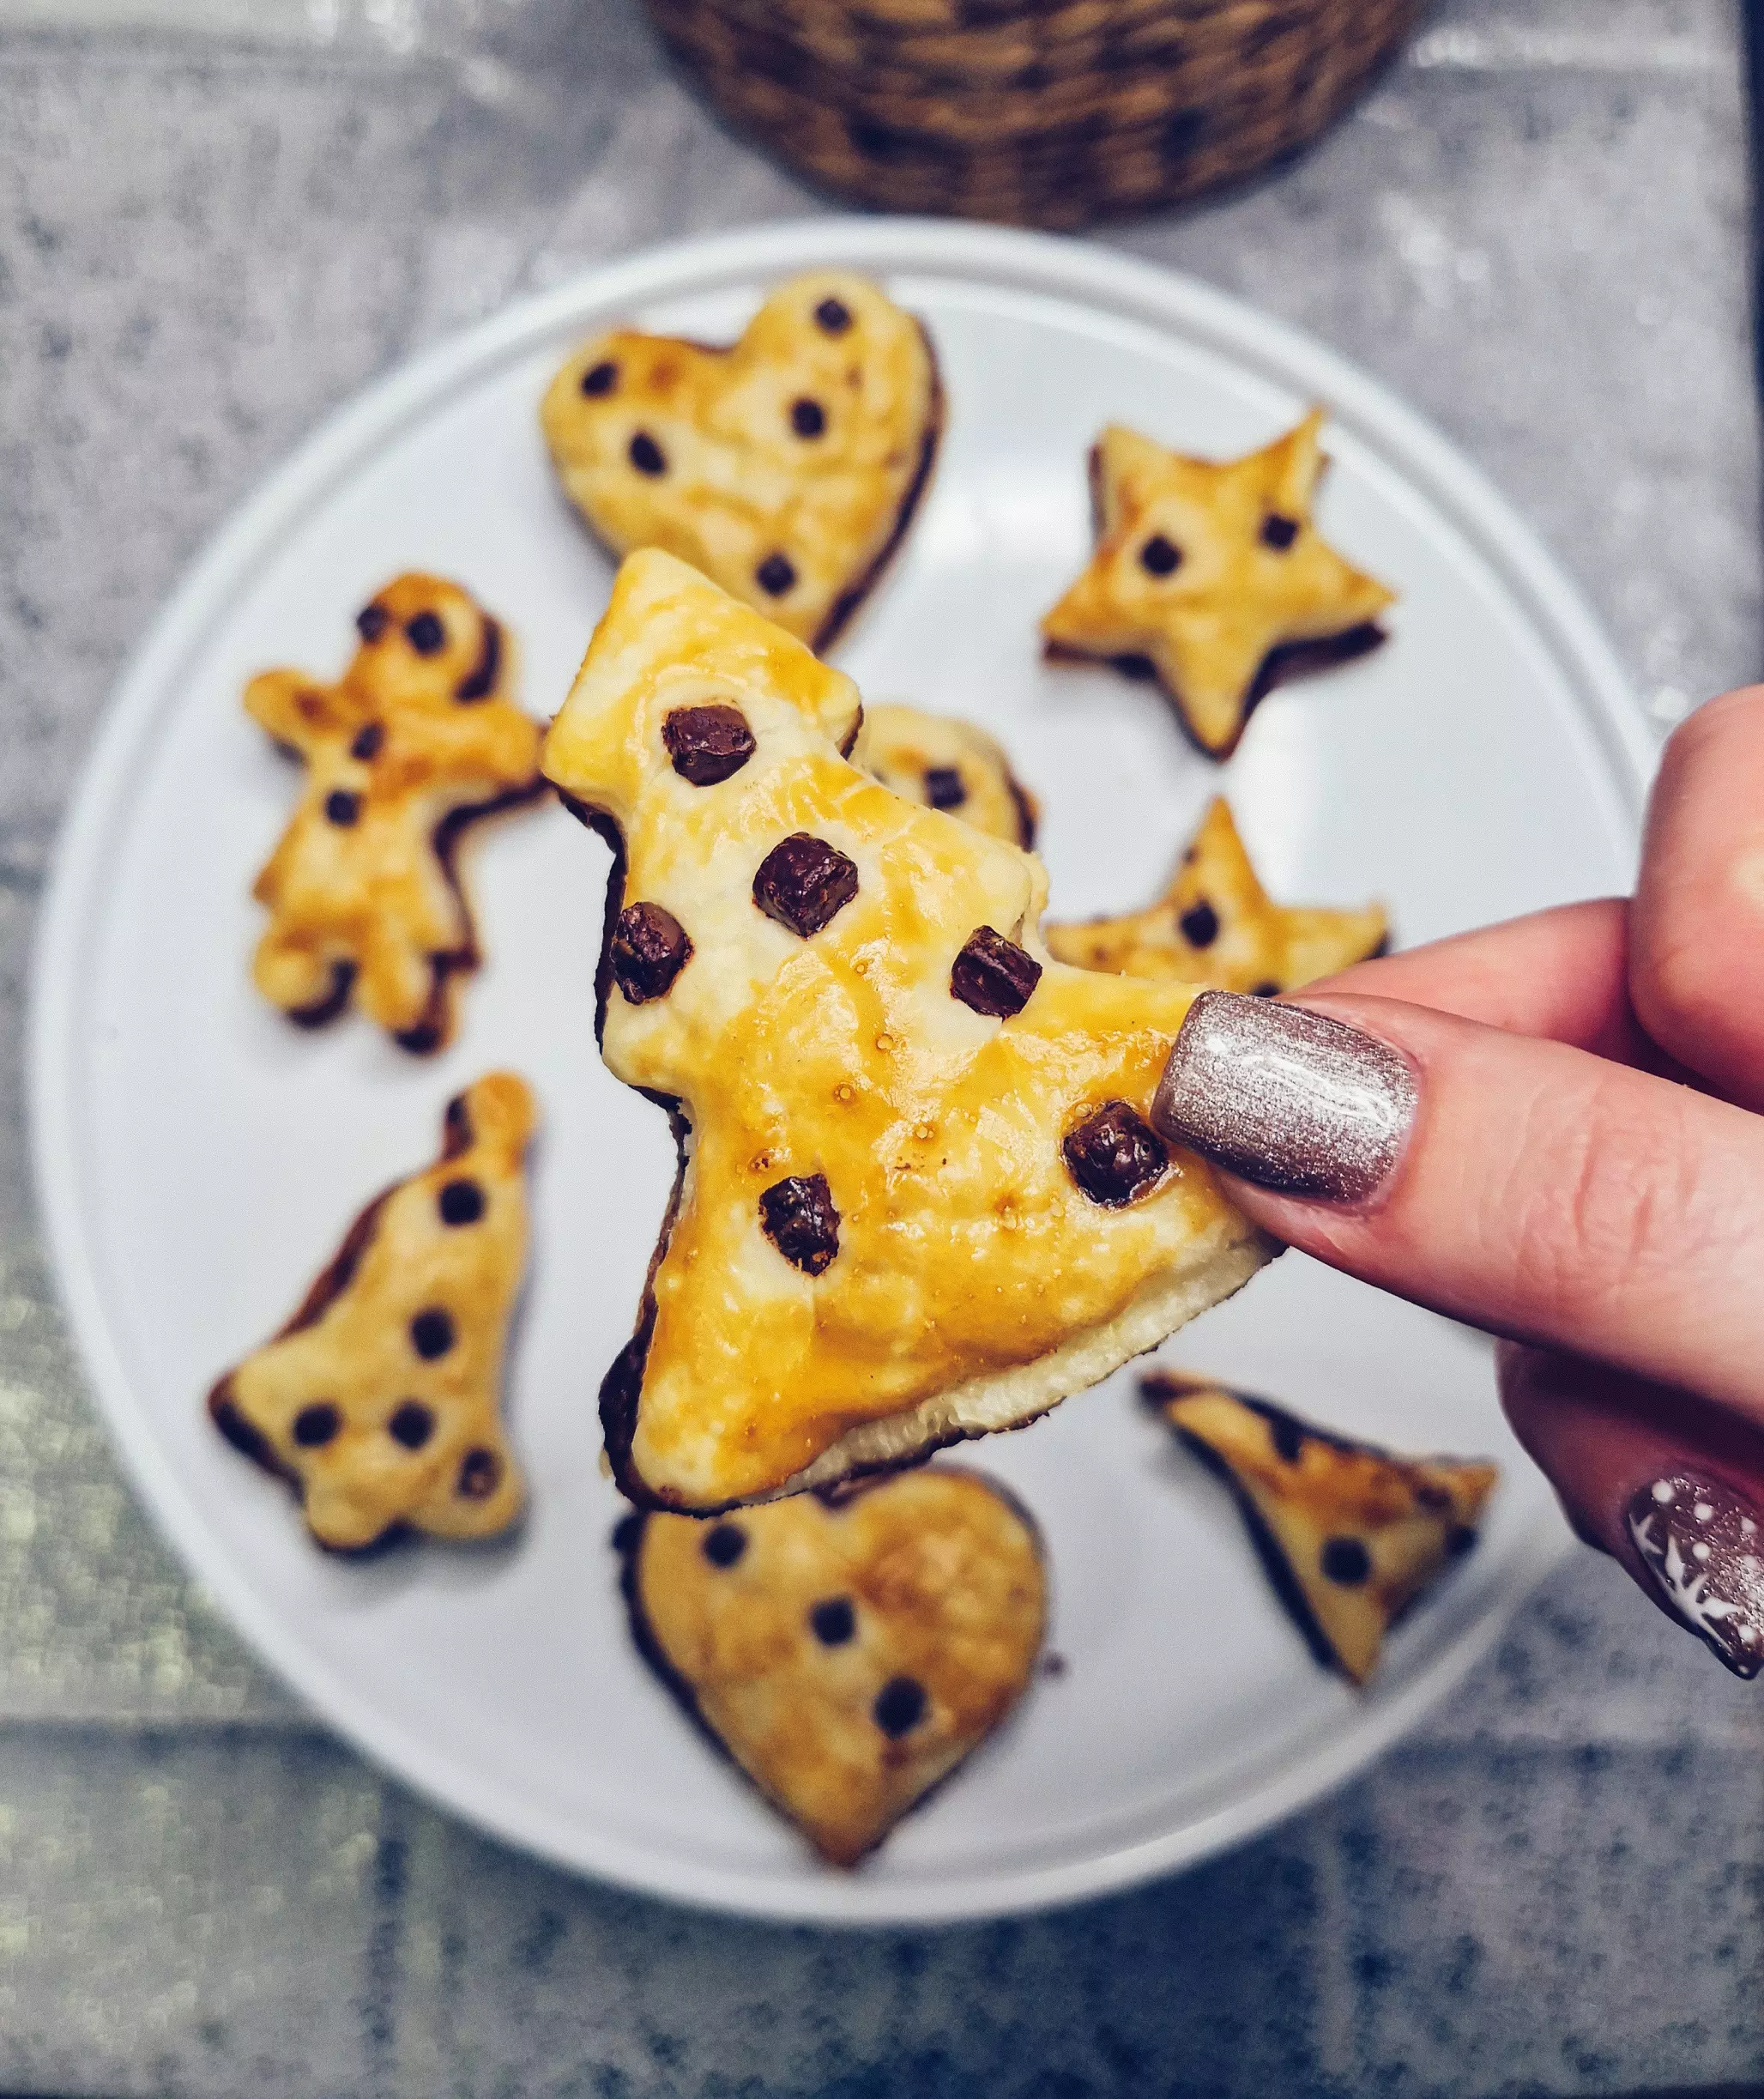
(198,1158)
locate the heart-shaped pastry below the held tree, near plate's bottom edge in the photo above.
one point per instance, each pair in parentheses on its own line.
(846,1651)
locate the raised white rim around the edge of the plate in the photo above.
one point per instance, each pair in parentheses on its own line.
(251,534)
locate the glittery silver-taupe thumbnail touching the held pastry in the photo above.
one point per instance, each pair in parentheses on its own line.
(1287,1099)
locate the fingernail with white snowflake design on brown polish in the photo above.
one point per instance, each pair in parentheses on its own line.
(1706,1554)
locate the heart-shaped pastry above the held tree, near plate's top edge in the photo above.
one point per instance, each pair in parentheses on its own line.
(788,465)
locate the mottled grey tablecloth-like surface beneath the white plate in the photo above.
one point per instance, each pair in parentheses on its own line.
(217,221)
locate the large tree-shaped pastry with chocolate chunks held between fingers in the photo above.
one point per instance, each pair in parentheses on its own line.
(920,1195)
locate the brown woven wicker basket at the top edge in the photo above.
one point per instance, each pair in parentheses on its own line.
(1037,112)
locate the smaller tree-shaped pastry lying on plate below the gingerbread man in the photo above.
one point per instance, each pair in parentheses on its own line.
(381,1399)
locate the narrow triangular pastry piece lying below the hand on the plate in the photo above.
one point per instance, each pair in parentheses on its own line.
(1350,1535)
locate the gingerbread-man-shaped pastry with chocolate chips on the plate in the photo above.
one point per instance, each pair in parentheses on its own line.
(408,748)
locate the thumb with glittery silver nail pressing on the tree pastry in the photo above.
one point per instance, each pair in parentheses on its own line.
(1520,1185)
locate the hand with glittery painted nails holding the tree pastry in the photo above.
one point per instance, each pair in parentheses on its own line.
(1555,1130)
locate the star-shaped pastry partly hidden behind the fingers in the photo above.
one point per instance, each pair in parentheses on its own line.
(1216,925)
